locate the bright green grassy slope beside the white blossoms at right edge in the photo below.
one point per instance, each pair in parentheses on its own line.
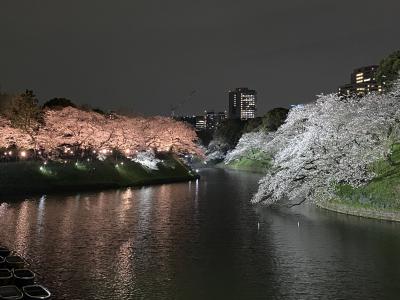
(380,198)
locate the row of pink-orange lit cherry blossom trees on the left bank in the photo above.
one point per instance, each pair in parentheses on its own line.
(71,131)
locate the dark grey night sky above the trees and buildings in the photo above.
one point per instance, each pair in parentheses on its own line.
(146,55)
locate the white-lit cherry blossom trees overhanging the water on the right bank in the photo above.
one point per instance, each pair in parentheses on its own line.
(331,141)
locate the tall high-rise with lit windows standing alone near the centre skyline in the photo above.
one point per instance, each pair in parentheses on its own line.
(242,104)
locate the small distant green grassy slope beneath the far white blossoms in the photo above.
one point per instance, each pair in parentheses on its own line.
(254,161)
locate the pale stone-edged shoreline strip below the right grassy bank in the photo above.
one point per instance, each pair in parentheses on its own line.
(383,215)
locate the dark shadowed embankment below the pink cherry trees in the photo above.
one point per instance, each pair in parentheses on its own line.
(33,176)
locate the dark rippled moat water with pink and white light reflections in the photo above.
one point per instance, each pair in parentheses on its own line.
(199,240)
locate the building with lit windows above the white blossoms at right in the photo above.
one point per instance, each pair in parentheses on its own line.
(362,82)
